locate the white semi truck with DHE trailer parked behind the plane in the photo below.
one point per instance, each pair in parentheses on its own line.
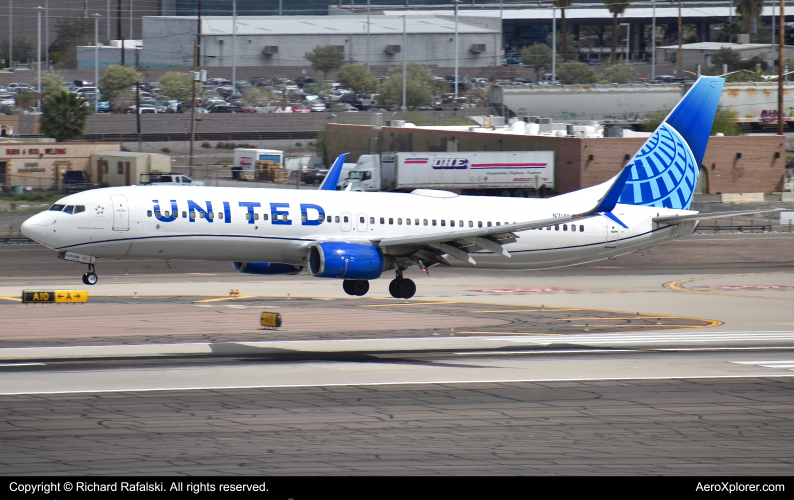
(503,173)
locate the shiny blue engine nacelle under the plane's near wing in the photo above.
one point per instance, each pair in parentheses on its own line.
(352,261)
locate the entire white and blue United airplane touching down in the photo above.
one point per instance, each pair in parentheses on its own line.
(356,236)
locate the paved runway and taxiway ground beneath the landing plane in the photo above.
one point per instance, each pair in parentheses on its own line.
(602,369)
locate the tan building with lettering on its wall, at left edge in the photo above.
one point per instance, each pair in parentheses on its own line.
(41,165)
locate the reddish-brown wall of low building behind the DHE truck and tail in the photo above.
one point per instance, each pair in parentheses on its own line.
(581,163)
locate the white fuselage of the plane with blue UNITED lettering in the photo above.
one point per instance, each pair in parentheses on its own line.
(123,223)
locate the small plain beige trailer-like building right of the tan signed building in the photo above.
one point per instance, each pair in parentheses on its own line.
(123,168)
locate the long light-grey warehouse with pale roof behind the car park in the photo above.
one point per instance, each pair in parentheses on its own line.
(283,41)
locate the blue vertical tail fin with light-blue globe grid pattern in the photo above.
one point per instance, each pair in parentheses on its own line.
(665,171)
